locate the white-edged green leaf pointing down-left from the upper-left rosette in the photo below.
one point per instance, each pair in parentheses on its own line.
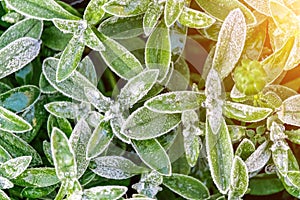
(69,59)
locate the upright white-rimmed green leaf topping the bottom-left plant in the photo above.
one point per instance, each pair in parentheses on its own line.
(63,155)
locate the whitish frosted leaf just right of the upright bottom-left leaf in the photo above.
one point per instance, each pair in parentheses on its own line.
(79,141)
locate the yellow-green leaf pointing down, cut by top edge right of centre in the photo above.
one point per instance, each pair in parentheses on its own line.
(173,10)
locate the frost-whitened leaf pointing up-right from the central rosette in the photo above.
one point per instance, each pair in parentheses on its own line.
(137,87)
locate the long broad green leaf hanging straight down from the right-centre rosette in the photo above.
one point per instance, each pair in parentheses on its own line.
(220,156)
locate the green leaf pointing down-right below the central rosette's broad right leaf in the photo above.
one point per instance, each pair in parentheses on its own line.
(153,155)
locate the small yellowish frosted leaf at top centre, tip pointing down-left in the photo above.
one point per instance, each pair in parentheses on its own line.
(151,17)
